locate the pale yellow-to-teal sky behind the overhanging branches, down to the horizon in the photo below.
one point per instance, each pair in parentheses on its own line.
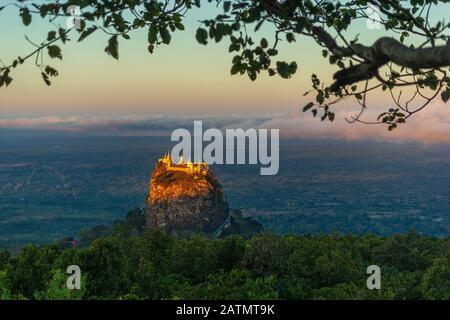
(184,80)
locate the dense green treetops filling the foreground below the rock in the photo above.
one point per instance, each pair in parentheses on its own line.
(129,264)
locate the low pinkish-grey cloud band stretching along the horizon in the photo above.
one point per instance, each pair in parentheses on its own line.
(429,126)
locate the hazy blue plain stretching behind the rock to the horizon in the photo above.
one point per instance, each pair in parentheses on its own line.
(54,185)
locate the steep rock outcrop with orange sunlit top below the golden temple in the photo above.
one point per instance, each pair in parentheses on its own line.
(185,200)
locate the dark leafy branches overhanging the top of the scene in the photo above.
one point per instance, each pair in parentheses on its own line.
(410,64)
